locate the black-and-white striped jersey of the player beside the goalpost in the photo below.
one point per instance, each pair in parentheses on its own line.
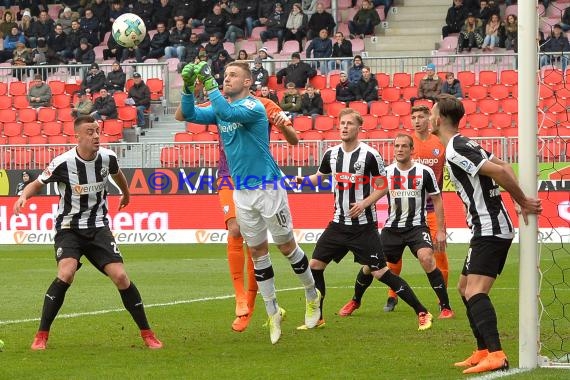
(486,212)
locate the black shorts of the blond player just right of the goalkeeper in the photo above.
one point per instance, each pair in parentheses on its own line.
(362,240)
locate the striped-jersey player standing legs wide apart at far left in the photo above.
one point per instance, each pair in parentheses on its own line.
(82,227)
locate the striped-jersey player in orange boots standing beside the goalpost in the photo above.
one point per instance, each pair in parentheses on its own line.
(477,175)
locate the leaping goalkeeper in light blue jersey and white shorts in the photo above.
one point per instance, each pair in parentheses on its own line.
(261,204)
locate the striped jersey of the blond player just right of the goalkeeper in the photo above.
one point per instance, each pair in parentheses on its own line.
(352,173)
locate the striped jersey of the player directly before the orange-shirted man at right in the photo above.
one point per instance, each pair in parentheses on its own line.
(408,194)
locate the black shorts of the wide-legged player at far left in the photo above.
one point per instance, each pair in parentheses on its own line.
(97,244)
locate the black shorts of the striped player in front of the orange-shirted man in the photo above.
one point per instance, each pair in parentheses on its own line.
(395,240)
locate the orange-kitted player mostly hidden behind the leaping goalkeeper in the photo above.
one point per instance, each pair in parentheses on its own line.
(245,299)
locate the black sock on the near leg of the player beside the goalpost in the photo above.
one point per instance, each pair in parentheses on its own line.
(485,319)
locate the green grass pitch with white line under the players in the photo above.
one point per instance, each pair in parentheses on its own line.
(188,295)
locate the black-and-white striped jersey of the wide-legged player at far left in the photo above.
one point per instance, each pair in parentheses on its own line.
(82,187)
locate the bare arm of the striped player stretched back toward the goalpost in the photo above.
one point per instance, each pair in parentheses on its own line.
(504,175)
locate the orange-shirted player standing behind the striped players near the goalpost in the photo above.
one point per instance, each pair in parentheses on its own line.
(428,150)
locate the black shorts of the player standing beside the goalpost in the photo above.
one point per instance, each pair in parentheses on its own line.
(486,256)
